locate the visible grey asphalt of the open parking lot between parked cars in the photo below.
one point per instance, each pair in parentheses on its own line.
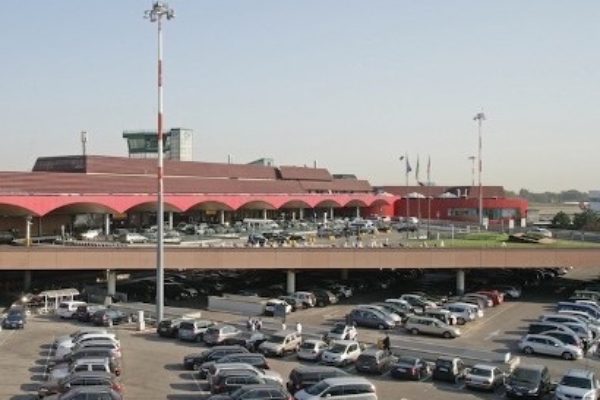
(153,365)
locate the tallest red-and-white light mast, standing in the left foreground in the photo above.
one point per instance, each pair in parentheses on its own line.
(158,11)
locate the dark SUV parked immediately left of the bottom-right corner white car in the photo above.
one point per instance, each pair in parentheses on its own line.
(528,381)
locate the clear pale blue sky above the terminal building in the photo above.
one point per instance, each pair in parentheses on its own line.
(351,84)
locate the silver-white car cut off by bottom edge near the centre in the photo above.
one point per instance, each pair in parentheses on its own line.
(343,388)
